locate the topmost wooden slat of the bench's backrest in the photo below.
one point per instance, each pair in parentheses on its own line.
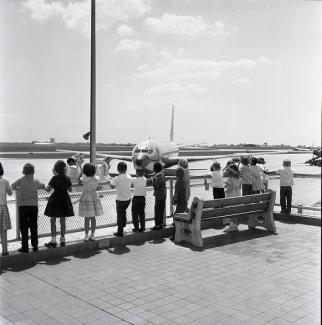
(219,203)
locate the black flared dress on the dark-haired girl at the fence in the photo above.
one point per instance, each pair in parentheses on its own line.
(59,203)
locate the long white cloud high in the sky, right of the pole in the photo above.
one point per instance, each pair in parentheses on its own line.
(185,25)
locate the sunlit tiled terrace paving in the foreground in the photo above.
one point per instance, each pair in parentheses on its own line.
(248,277)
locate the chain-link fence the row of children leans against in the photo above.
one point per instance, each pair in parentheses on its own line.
(306,193)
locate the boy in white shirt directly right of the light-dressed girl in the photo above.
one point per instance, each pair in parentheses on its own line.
(122,183)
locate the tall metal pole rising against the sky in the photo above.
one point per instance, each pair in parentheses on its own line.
(93,87)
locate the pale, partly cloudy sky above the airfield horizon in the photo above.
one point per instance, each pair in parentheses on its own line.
(236,71)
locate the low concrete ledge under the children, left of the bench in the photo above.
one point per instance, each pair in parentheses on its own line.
(77,247)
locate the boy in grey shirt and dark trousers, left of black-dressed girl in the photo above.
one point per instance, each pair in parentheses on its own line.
(27,200)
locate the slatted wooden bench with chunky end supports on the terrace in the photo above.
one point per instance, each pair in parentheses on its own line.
(254,210)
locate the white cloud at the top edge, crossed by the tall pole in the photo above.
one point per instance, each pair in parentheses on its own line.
(76,15)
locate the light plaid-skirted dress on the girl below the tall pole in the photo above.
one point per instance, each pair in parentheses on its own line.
(89,203)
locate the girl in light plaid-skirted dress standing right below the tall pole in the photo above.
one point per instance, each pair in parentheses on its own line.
(89,204)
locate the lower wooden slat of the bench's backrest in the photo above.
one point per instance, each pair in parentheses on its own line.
(222,212)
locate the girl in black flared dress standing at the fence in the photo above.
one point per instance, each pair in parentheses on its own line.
(59,204)
